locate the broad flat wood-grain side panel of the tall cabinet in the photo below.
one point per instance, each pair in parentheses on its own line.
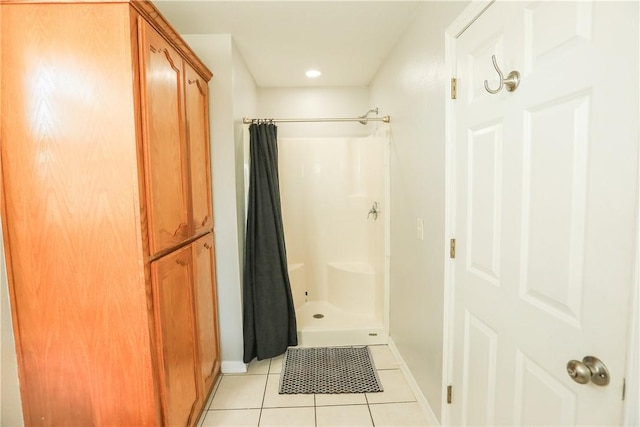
(70,209)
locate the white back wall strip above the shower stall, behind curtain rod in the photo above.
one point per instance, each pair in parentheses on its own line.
(316,102)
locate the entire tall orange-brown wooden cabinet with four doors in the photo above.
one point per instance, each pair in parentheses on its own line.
(106,214)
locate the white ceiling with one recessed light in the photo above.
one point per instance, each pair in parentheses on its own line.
(279,40)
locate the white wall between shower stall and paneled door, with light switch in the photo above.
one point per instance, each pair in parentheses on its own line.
(410,86)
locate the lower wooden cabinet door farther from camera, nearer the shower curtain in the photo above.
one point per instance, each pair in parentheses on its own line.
(207,313)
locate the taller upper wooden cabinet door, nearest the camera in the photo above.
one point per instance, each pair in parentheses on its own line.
(164,140)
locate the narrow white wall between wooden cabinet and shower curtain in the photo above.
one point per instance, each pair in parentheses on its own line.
(232,90)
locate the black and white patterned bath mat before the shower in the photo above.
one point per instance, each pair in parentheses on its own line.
(329,370)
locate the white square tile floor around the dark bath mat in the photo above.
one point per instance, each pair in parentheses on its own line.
(252,399)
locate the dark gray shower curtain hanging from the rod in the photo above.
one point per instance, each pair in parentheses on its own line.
(268,312)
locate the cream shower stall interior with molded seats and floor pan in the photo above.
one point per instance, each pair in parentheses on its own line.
(334,200)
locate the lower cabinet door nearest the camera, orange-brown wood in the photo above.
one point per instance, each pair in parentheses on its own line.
(175,330)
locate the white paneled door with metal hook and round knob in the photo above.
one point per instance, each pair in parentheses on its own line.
(546,185)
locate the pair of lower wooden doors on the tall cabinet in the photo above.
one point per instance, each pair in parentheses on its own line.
(186,325)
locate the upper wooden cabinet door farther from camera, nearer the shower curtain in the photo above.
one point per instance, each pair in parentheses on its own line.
(197,107)
